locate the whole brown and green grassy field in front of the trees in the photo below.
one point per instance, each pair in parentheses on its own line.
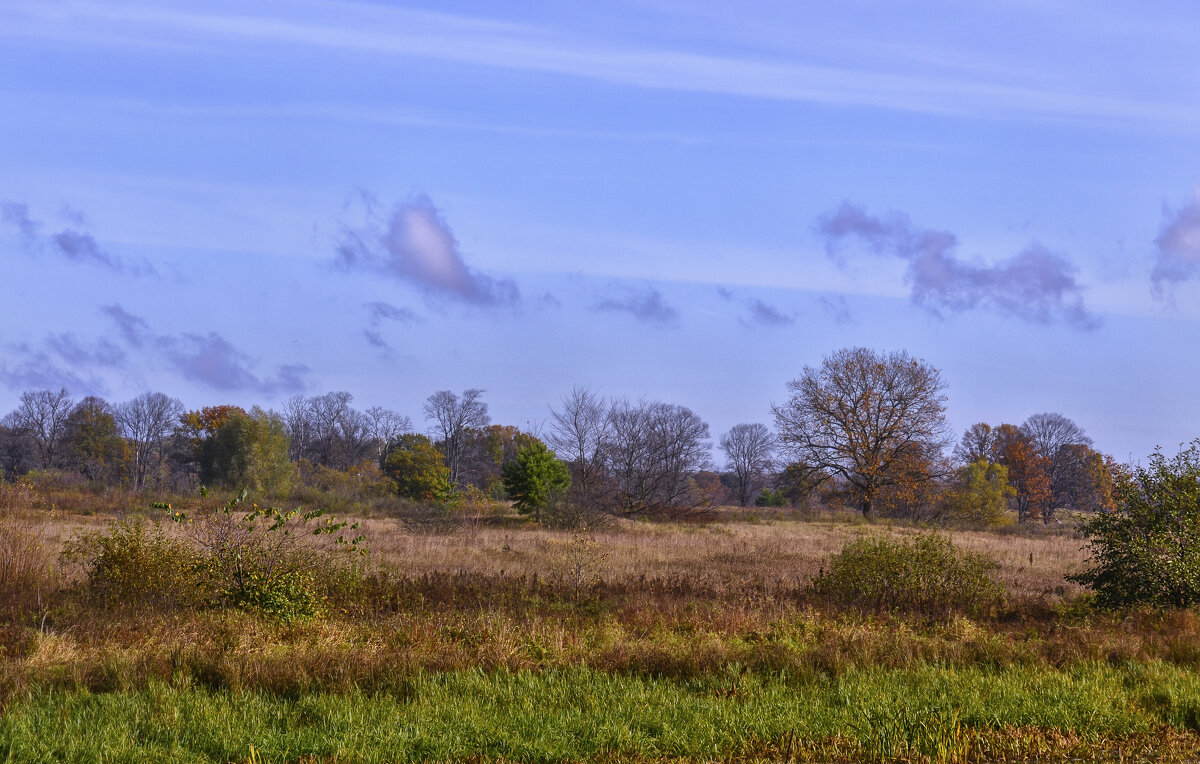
(490,639)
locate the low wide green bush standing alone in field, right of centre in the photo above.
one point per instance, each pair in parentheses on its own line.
(927,577)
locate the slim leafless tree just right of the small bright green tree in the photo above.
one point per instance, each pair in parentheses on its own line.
(579,432)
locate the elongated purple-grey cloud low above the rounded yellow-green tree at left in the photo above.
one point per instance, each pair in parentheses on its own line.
(208,359)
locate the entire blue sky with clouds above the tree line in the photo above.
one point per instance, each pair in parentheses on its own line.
(677,201)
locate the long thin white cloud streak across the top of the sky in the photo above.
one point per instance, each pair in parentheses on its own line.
(379,31)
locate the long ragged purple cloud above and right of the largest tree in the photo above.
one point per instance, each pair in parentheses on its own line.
(1035,285)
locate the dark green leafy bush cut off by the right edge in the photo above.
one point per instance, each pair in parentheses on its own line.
(1148,552)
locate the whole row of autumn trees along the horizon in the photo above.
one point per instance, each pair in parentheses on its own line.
(865,430)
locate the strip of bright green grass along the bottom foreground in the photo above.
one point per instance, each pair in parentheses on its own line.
(929,713)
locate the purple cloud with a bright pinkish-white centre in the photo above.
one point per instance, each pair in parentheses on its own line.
(415,245)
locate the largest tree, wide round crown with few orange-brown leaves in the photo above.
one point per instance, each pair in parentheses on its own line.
(872,419)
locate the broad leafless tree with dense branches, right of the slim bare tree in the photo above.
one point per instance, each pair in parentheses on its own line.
(653,454)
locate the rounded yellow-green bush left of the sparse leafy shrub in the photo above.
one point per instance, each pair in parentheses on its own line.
(135,564)
